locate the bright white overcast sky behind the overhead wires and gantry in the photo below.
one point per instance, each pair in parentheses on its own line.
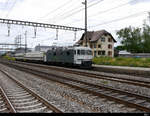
(110,15)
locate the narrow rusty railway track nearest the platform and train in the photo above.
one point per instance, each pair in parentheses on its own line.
(92,75)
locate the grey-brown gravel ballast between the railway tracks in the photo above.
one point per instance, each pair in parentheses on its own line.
(66,98)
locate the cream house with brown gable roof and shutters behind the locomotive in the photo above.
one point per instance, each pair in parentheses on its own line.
(101,42)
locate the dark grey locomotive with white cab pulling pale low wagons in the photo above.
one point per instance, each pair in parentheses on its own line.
(68,56)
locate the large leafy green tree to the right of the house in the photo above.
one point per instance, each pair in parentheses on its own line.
(135,40)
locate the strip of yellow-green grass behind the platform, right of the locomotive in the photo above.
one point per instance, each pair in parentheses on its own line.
(121,61)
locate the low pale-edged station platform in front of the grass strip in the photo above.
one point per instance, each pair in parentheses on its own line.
(137,71)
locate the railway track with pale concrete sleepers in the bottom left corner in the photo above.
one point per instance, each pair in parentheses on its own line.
(24,100)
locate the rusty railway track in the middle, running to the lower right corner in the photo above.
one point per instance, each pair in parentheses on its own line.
(139,102)
